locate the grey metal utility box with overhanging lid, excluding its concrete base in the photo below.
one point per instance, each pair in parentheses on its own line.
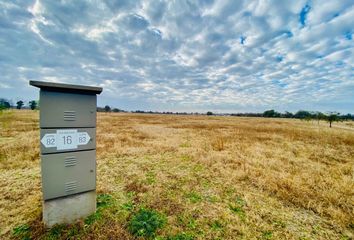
(67,139)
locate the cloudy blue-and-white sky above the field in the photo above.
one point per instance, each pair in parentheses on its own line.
(224,56)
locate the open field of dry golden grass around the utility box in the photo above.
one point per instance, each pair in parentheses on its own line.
(209,177)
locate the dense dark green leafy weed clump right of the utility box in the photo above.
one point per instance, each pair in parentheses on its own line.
(146,222)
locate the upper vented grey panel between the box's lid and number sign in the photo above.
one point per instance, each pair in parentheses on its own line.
(64,110)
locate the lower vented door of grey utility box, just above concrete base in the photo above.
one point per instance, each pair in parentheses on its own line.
(68,173)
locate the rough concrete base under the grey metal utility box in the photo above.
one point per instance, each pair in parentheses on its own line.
(69,209)
